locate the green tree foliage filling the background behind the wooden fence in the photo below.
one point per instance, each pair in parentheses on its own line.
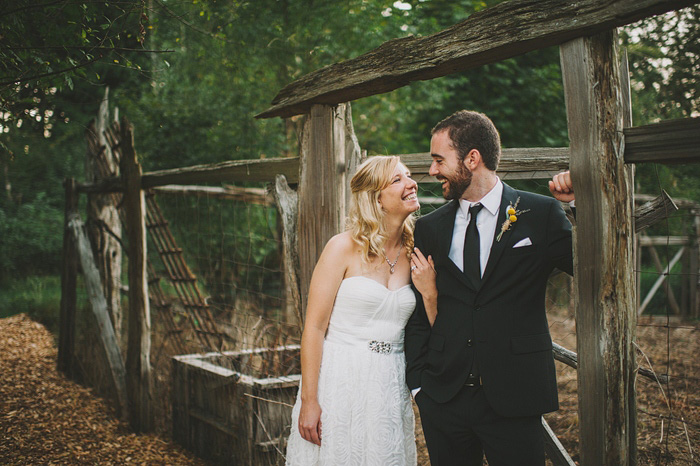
(218,64)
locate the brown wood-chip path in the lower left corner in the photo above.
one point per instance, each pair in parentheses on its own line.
(46,419)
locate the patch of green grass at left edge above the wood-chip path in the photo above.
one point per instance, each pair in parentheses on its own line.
(37,296)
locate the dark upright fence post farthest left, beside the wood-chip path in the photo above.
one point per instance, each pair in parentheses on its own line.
(69,278)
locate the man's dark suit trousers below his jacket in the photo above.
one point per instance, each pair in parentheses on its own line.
(465,428)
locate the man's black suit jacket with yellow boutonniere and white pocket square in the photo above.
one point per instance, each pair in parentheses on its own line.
(501,326)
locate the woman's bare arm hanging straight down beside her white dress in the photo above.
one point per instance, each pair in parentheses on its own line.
(325,281)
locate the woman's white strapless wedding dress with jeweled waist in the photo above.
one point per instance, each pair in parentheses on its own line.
(367,416)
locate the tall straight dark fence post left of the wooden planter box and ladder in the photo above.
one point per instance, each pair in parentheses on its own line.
(138,366)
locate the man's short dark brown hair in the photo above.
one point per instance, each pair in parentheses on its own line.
(473,130)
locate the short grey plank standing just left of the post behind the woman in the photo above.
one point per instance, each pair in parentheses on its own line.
(287,202)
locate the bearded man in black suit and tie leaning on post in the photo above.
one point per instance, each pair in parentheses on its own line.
(483,373)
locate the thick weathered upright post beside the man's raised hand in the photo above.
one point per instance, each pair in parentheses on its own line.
(603,278)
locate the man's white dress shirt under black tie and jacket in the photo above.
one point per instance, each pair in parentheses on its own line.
(486,222)
